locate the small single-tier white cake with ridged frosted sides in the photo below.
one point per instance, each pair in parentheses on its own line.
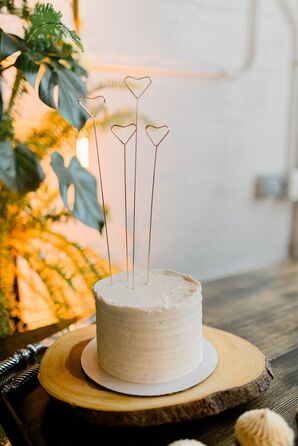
(152,333)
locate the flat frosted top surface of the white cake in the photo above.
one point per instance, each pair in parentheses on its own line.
(166,289)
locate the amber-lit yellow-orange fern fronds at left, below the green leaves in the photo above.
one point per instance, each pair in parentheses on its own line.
(54,269)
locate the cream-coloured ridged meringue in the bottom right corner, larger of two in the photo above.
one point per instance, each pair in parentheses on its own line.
(263,427)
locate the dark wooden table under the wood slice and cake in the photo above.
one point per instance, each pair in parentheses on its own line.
(261,306)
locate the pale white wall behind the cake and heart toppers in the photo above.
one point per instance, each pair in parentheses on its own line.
(223,132)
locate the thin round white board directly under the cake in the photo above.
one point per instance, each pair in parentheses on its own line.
(96,373)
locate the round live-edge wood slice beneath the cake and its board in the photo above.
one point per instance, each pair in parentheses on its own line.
(242,374)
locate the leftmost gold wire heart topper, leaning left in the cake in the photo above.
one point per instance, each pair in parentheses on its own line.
(99,173)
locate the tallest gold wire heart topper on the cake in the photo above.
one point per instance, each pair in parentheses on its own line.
(127,81)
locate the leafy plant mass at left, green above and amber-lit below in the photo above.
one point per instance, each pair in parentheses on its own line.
(32,252)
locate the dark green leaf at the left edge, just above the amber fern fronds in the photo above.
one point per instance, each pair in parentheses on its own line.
(20,169)
